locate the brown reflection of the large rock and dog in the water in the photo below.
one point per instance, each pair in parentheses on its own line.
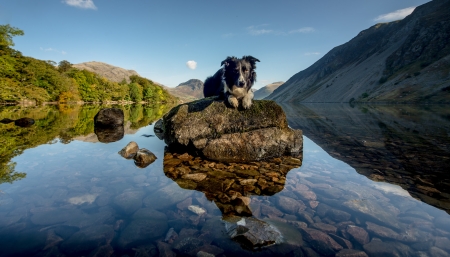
(230,186)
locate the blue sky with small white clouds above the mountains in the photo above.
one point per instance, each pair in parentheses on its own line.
(172,41)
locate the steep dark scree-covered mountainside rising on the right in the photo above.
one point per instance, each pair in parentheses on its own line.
(402,61)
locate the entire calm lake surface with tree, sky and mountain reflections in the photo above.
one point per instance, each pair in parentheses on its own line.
(374,179)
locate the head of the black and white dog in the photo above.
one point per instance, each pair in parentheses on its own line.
(240,73)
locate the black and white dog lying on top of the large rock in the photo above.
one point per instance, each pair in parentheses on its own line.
(233,81)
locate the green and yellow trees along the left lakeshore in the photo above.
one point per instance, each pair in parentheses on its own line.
(24,78)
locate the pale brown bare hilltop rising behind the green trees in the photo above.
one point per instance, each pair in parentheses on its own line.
(108,71)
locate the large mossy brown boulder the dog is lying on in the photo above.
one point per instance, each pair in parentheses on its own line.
(228,134)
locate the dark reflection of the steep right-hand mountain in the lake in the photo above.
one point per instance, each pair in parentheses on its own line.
(404,145)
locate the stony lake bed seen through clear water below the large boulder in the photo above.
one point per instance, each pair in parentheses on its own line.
(86,199)
